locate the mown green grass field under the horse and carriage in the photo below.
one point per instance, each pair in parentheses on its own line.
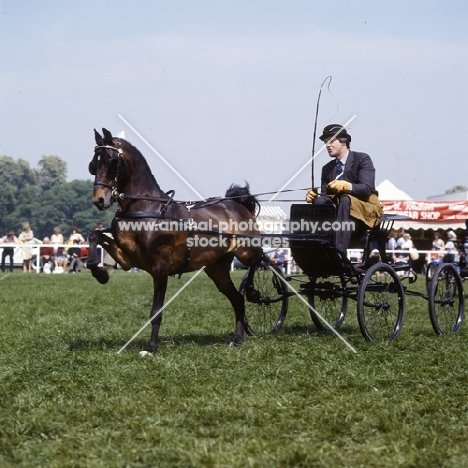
(295,399)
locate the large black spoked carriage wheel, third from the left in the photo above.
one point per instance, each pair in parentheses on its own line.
(381,304)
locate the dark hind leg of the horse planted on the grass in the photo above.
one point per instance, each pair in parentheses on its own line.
(219,274)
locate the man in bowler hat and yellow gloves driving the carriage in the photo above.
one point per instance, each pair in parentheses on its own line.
(348,181)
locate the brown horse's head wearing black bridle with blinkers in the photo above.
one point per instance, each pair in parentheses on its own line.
(108,168)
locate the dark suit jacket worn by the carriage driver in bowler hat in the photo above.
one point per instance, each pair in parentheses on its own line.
(359,171)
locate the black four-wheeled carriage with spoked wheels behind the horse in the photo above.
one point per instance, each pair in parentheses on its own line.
(330,281)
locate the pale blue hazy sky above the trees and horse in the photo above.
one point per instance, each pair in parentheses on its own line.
(226,90)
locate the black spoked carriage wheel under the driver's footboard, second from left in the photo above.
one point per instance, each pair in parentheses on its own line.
(327,297)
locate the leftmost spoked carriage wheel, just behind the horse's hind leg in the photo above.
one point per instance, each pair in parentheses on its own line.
(266,301)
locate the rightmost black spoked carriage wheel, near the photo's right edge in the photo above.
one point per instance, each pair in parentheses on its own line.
(446,300)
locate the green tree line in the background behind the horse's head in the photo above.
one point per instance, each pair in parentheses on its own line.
(45,199)
